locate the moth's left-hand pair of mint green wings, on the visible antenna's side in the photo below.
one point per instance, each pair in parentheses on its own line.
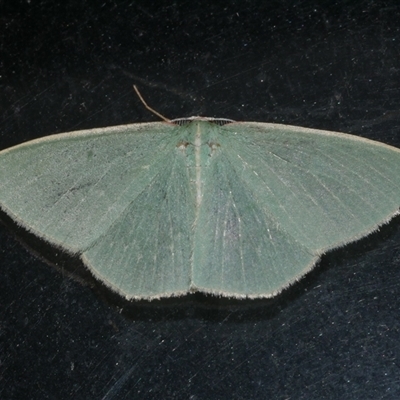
(119,197)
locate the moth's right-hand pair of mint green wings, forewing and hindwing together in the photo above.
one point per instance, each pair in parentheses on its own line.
(277,197)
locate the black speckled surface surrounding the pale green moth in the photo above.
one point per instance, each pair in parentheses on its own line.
(320,64)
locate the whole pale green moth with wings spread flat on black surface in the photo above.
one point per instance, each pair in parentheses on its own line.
(240,209)
